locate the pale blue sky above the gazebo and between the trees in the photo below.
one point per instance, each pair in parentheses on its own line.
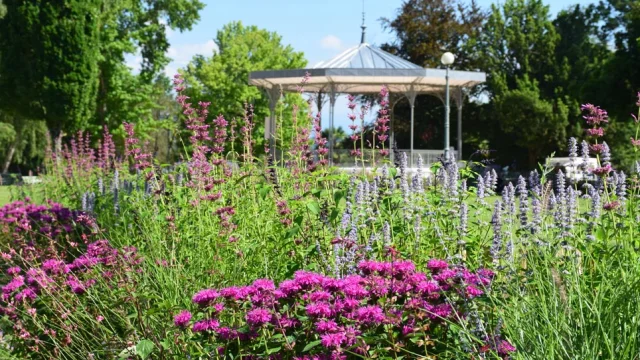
(320,29)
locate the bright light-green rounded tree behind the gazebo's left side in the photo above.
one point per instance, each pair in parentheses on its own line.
(223,77)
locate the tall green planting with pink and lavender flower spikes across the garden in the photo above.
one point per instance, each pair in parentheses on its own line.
(565,256)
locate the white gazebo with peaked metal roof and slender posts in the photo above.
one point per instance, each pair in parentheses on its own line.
(364,69)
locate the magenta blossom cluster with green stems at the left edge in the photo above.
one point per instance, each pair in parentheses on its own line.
(46,273)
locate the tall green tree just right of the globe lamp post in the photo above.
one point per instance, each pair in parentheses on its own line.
(518,43)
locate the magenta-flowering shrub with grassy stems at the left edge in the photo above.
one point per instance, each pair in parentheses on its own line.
(52,297)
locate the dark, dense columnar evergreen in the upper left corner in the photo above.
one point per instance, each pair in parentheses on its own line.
(48,67)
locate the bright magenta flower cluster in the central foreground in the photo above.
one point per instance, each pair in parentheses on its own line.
(316,316)
